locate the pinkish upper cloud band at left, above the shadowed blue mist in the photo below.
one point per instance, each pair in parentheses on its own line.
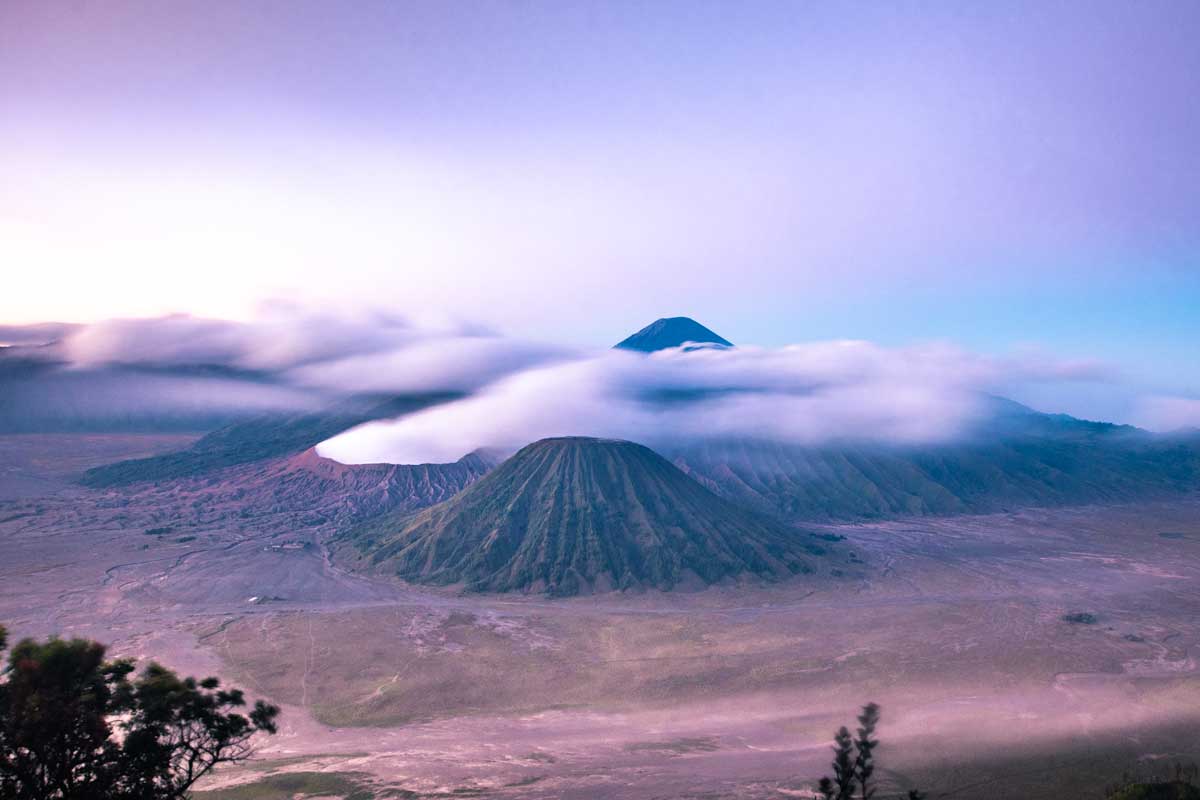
(364,353)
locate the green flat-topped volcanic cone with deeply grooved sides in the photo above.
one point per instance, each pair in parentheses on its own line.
(568,516)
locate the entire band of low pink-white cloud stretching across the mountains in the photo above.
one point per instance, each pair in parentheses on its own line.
(515,393)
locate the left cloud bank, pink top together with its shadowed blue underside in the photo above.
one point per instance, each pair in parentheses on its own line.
(195,372)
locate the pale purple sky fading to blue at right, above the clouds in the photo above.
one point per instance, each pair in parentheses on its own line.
(1003,176)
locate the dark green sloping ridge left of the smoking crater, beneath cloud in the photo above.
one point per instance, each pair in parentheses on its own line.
(265,437)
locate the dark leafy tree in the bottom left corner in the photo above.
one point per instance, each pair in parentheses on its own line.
(62,703)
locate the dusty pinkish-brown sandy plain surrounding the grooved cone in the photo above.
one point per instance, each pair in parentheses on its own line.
(953,625)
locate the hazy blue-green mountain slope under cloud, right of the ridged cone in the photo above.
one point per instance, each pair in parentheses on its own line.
(1019,459)
